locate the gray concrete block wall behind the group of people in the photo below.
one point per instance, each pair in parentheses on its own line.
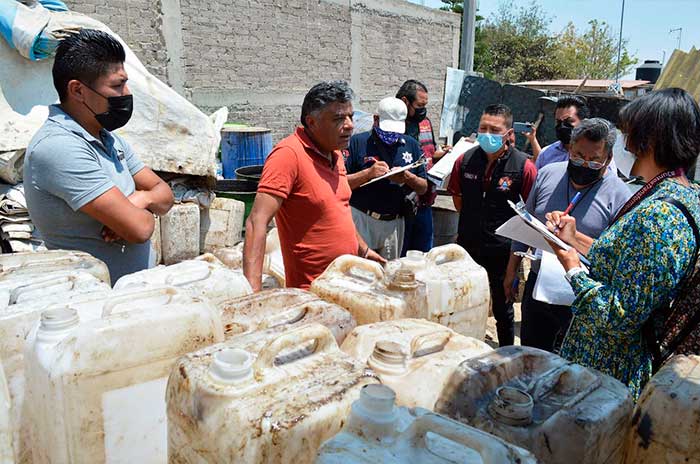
(260,57)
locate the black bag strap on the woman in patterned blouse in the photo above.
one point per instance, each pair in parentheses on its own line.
(648,329)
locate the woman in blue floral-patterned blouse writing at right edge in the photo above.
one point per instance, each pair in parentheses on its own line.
(639,263)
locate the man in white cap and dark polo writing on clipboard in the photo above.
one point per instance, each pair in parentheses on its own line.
(378,209)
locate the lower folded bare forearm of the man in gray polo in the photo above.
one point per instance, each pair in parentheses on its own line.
(118,214)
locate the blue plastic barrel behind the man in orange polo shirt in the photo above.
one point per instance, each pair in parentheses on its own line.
(243,146)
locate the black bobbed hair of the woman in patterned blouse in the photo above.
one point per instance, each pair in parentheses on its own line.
(667,122)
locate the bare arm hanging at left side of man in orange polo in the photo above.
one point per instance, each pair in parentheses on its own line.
(264,209)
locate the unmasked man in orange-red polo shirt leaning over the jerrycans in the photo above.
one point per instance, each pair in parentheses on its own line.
(304,185)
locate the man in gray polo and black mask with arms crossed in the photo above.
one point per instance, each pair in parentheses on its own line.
(85,188)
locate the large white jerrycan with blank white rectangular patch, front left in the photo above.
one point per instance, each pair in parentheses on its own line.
(96,389)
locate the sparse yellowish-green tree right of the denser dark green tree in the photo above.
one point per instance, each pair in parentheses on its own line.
(593,53)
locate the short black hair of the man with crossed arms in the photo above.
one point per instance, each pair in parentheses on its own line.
(85,56)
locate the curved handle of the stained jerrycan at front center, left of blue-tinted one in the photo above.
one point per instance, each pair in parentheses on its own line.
(325,342)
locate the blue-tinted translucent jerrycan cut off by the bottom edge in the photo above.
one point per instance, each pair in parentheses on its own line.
(378,432)
